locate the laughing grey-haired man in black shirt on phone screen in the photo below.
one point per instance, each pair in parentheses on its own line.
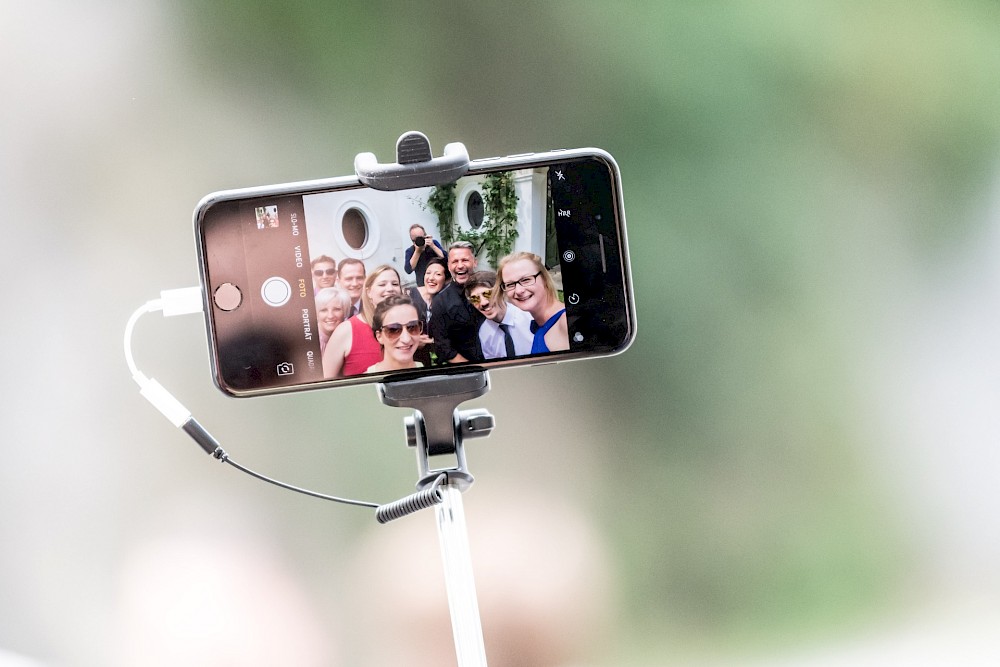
(455,322)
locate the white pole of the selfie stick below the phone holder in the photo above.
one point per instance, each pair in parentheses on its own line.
(459,581)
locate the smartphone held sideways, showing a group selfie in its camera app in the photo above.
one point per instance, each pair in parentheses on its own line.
(326,283)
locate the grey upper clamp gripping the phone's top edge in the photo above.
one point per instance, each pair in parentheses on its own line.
(414,166)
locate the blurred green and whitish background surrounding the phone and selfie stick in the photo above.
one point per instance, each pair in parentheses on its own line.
(795,463)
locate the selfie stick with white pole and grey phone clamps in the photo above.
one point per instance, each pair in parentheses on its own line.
(437,427)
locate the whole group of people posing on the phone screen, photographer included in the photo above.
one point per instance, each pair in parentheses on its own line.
(453,313)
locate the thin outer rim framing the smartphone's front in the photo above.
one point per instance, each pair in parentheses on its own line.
(476,167)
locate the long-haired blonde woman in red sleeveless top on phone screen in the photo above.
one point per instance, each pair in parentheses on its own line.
(352,347)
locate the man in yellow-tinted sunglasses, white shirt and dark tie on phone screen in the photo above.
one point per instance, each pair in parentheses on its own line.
(506,331)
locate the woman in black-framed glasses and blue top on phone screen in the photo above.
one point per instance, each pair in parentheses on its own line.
(526,283)
